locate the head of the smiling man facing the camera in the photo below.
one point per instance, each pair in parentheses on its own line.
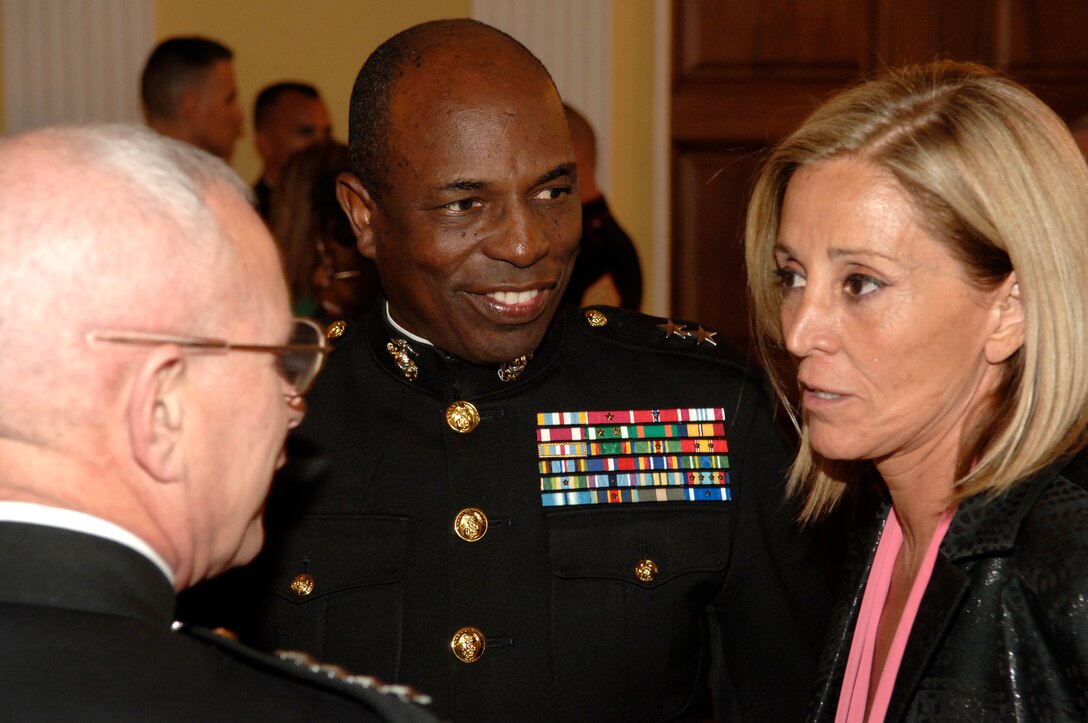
(464,189)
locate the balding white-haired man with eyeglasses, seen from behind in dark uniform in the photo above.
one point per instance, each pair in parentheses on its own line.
(150,376)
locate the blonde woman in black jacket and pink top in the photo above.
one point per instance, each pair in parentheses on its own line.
(918,255)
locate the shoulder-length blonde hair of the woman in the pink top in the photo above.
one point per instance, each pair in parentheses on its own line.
(998,179)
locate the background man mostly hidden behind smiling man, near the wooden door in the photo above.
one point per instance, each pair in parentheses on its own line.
(608,269)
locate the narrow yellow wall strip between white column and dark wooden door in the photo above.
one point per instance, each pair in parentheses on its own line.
(632,197)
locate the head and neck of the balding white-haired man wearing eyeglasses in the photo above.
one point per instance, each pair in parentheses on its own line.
(171,444)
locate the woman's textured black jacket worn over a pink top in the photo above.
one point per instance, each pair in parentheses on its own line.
(1003,630)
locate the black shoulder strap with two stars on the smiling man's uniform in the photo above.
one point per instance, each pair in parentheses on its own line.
(640,331)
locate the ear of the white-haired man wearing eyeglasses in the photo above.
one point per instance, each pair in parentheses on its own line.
(156,415)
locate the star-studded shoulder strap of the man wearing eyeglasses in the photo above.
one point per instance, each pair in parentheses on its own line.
(388,702)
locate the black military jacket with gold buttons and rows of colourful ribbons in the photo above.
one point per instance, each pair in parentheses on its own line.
(590,538)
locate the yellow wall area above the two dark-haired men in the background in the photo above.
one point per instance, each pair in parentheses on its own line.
(320,42)
